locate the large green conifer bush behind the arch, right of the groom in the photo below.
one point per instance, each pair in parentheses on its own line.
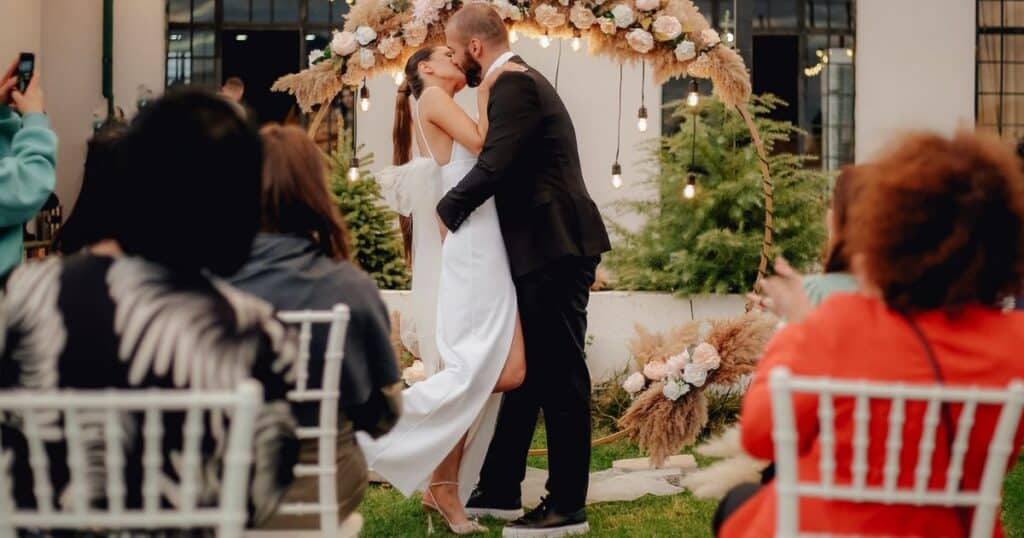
(712,244)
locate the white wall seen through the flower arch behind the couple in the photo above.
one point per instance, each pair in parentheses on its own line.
(589,86)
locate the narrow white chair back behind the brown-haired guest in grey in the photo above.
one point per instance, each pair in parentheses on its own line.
(327,396)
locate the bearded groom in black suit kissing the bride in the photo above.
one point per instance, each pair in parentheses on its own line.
(556,237)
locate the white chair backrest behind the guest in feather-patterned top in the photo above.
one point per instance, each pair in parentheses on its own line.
(75,410)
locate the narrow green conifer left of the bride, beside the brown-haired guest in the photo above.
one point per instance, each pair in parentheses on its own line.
(376,240)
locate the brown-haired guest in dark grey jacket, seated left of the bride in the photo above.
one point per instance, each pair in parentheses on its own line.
(301,261)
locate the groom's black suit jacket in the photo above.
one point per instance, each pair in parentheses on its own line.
(531,164)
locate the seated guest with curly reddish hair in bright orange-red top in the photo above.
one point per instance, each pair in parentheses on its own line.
(940,242)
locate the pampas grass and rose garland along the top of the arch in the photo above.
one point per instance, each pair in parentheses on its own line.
(671,35)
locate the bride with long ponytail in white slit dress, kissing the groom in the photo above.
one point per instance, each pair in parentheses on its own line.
(463,285)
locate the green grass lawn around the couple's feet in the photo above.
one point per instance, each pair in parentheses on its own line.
(388,514)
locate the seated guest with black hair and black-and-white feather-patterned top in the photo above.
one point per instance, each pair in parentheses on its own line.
(189,190)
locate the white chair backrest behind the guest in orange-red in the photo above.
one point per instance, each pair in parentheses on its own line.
(986,501)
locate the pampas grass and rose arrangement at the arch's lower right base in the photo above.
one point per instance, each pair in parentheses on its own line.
(670,407)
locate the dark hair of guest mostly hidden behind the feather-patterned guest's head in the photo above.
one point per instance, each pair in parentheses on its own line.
(92,224)
